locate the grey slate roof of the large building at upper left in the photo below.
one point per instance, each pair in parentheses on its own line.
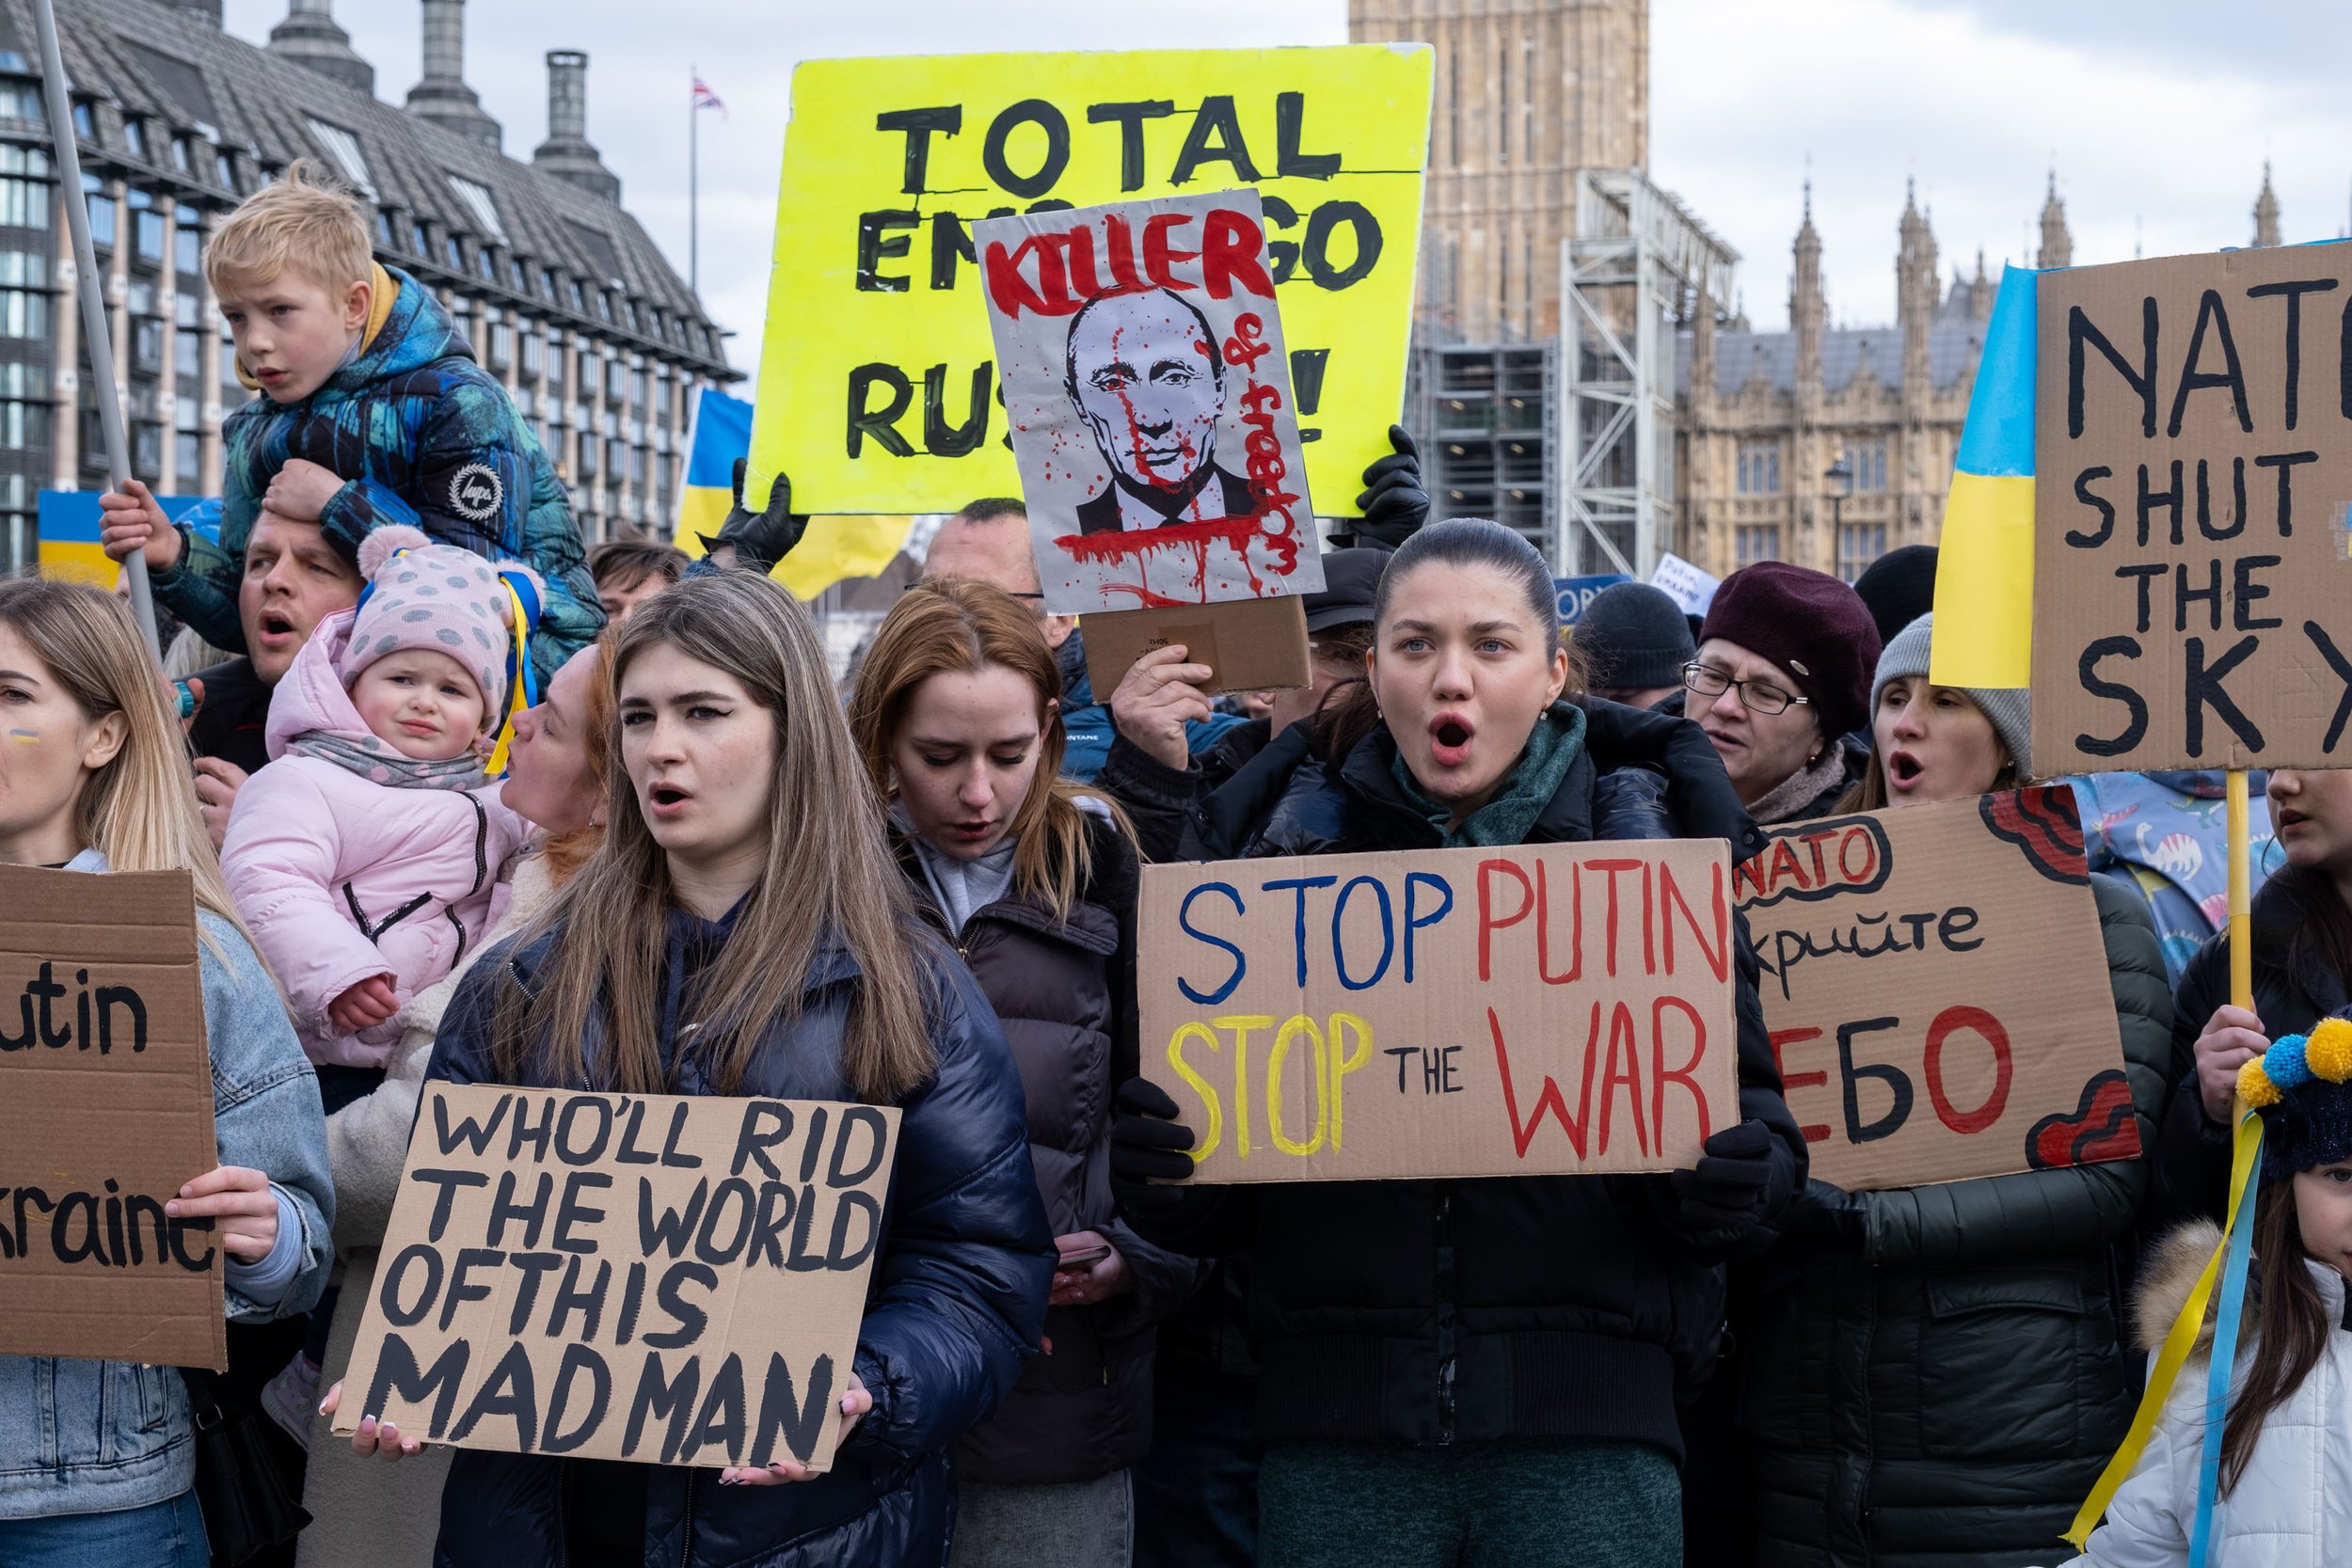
(171,69)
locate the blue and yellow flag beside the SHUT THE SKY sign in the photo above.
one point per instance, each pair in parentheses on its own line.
(1986,572)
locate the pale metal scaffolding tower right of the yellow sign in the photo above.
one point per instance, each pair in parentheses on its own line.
(1633,272)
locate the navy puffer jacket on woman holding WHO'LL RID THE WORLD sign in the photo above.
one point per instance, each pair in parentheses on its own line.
(956,1296)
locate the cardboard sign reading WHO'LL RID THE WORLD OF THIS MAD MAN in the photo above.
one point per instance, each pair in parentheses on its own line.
(669,1280)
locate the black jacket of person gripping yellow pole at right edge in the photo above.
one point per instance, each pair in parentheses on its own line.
(2292,993)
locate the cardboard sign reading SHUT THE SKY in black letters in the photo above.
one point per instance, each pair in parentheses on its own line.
(2193,467)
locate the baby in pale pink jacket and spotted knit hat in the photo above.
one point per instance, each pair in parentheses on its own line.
(368,852)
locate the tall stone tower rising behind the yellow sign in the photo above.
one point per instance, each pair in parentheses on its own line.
(1528,93)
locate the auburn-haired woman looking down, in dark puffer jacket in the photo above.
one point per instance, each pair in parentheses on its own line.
(958,721)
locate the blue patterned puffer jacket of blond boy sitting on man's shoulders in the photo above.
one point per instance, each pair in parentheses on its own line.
(422,436)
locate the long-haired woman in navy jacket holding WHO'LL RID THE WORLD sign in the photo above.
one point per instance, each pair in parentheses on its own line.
(744,932)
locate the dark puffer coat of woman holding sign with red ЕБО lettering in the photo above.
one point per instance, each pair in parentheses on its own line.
(1949,1395)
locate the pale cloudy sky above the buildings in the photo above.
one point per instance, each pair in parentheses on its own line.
(2156,114)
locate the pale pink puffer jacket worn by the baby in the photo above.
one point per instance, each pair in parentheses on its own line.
(342,878)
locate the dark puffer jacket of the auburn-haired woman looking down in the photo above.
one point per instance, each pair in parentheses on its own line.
(1067,998)
